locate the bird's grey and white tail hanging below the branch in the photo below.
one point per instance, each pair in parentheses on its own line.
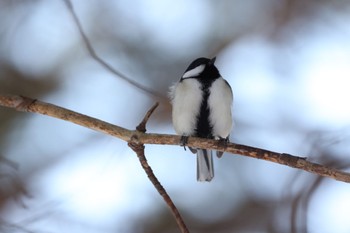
(205,166)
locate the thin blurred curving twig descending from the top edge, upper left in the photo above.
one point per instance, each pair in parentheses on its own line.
(98,59)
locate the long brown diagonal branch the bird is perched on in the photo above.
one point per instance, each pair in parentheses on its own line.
(21,103)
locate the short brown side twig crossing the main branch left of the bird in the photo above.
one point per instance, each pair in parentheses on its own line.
(139,149)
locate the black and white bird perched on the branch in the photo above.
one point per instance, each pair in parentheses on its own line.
(202,102)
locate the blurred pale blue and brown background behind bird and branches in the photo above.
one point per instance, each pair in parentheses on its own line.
(288,62)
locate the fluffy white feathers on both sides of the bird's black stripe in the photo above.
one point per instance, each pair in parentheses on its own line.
(187,99)
